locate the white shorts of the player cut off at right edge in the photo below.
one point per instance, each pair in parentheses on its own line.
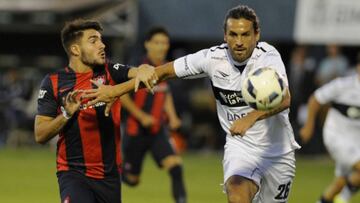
(344,149)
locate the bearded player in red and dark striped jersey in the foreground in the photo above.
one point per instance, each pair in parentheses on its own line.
(88,153)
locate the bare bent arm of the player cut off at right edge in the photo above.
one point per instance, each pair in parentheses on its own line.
(307,131)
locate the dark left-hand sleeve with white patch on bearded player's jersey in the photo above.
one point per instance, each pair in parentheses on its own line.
(47,104)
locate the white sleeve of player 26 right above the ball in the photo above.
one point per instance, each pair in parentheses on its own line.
(273,60)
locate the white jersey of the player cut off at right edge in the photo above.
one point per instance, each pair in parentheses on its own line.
(344,114)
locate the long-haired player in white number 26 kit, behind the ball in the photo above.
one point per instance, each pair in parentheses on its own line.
(259,161)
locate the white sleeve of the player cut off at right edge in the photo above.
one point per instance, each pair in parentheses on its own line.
(329,91)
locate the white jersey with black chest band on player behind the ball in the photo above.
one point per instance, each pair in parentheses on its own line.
(268,137)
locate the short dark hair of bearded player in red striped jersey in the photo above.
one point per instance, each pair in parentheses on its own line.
(73,30)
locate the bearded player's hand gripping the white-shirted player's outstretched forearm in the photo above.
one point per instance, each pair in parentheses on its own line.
(146,75)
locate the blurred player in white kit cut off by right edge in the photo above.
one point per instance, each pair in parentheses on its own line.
(340,132)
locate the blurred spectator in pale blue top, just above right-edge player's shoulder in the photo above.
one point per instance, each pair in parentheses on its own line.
(332,66)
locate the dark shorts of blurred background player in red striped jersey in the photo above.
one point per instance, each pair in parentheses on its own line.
(135,148)
